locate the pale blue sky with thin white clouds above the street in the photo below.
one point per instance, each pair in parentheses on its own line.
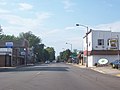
(54,20)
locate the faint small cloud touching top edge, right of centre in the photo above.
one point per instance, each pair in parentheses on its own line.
(68,5)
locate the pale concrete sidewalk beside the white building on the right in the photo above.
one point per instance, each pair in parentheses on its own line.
(105,70)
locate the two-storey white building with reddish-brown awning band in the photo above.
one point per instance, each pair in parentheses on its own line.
(101,44)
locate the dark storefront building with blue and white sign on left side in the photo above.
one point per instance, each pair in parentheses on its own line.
(13,53)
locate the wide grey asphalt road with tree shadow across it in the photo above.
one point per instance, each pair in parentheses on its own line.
(56,77)
